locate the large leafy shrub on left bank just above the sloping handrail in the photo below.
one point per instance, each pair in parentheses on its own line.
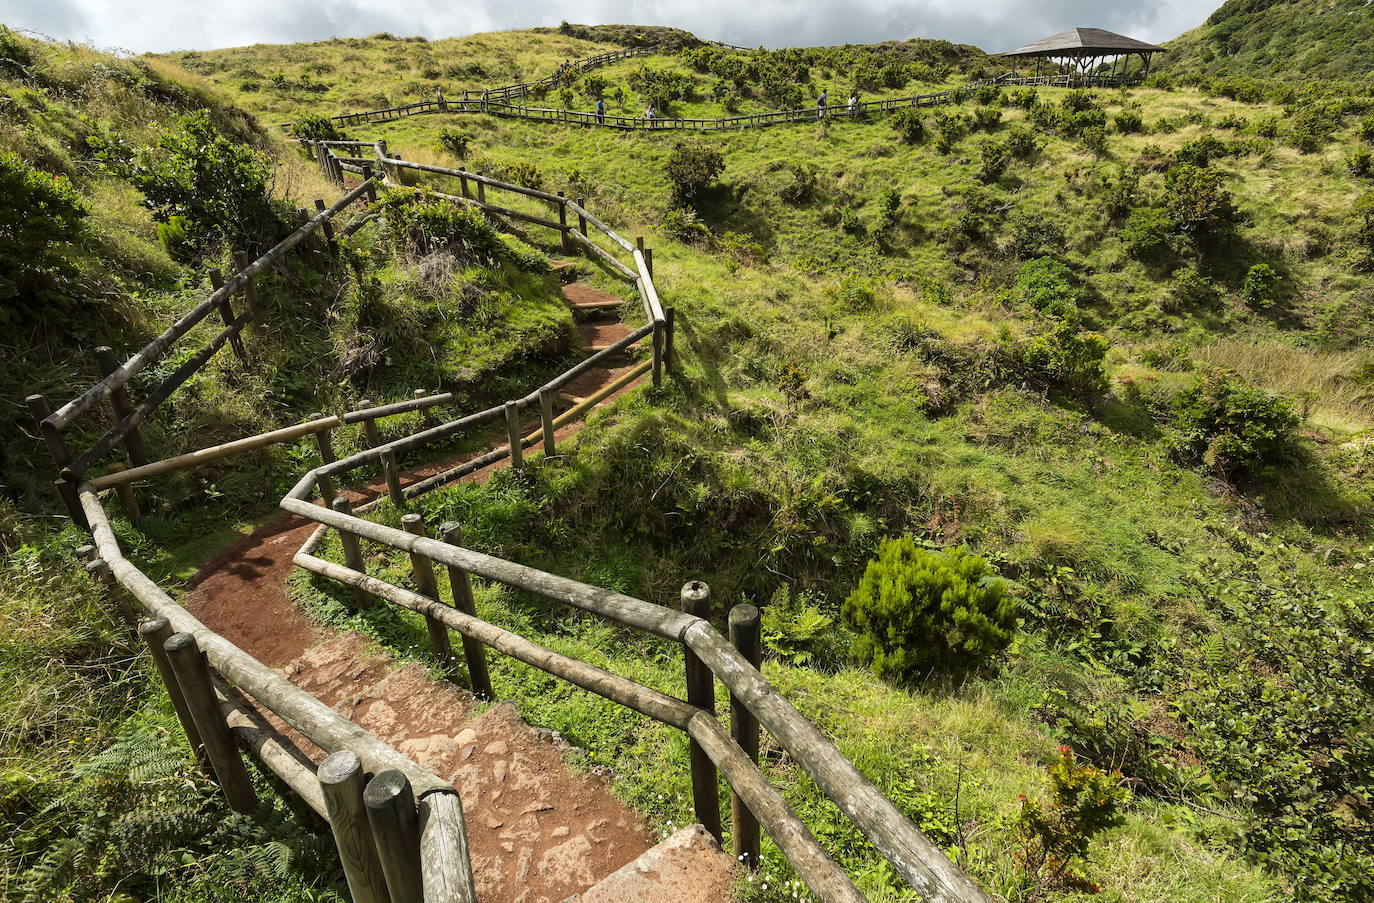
(216,185)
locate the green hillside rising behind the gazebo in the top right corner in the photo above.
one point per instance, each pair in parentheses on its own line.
(1298,41)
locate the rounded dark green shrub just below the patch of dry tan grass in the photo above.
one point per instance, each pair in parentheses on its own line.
(1233,428)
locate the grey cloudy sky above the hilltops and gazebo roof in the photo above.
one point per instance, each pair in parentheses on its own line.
(995,25)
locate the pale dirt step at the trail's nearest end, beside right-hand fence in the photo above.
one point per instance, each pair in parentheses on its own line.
(688,868)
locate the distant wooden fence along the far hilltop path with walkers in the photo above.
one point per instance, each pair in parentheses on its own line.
(499,102)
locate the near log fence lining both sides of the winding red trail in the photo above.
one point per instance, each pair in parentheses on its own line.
(218,689)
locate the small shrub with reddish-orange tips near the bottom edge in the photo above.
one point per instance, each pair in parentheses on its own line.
(1056,835)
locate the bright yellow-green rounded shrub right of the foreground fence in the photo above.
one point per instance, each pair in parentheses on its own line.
(919,611)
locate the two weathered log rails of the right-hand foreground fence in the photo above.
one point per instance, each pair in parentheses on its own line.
(910,853)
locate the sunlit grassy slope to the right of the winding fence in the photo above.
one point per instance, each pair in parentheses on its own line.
(756,489)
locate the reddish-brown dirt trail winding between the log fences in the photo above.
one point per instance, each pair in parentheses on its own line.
(539,832)
